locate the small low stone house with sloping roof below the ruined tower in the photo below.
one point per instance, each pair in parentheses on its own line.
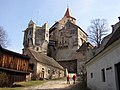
(44,67)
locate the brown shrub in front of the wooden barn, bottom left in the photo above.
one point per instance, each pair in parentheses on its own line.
(3,79)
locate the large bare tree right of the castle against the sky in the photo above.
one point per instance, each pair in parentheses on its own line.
(97,30)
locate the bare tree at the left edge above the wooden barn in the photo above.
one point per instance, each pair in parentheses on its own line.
(3,38)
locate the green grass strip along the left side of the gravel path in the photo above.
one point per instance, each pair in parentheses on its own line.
(21,85)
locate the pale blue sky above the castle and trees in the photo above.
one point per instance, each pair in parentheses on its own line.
(16,14)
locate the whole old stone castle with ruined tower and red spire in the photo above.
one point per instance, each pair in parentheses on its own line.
(65,42)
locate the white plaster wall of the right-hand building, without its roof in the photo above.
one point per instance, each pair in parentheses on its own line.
(109,58)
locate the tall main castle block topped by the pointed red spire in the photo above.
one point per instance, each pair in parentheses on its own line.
(65,38)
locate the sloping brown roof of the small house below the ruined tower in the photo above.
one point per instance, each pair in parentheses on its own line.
(40,57)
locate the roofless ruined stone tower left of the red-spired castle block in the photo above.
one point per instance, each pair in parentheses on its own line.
(36,38)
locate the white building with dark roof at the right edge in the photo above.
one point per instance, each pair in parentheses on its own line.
(103,69)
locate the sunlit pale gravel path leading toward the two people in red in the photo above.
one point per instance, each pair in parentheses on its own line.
(52,85)
